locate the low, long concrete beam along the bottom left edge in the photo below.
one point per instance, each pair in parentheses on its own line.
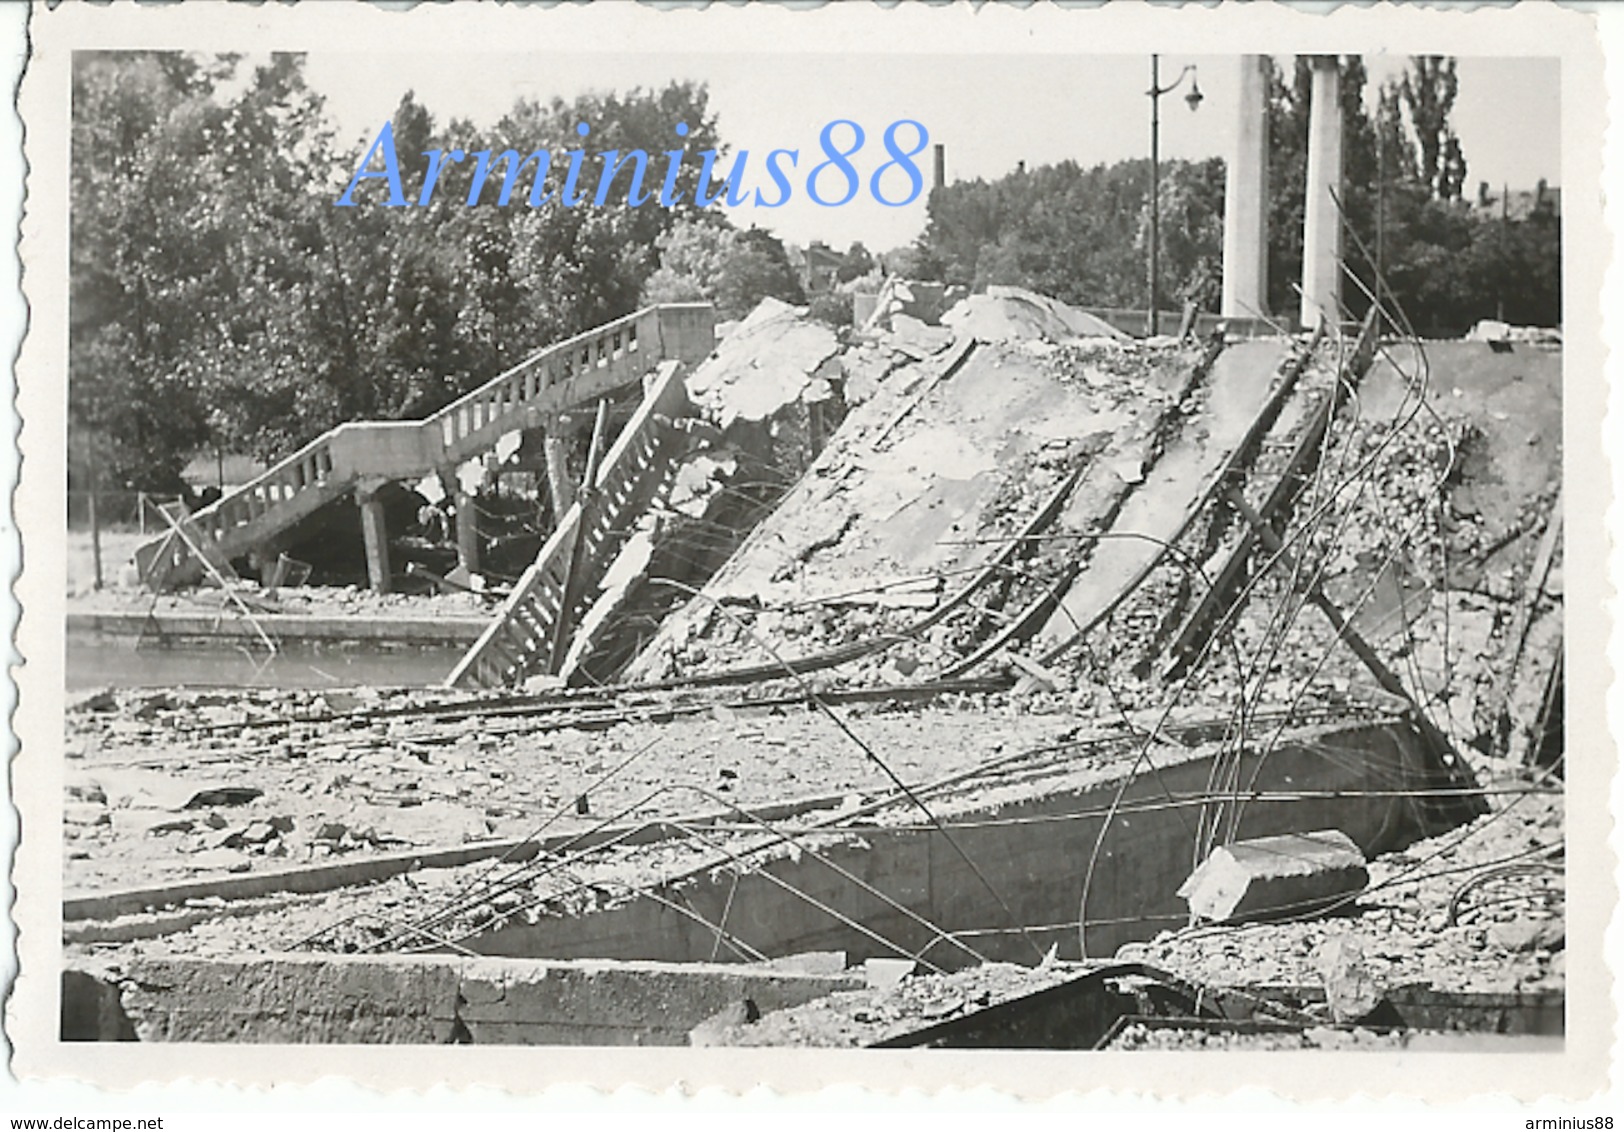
(426,1000)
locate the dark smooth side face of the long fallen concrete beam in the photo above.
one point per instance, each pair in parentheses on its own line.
(1342,769)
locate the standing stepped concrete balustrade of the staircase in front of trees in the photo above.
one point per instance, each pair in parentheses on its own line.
(361,456)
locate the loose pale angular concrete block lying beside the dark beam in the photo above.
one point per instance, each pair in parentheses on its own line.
(1290,875)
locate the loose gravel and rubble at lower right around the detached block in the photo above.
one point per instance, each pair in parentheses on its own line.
(1506,938)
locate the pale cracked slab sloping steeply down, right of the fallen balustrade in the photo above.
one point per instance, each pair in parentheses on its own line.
(936,470)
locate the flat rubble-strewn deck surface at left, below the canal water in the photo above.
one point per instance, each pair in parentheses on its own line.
(178,785)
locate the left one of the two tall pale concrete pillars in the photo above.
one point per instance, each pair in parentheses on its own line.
(1246,201)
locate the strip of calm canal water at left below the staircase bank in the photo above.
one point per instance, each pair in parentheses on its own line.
(97,662)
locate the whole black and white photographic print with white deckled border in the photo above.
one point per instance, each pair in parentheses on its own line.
(784,548)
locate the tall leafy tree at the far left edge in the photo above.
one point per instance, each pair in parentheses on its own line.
(176,277)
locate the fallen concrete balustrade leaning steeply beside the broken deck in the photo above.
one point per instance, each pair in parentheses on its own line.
(637,470)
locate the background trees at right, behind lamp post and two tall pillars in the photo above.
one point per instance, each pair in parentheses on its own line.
(1081,235)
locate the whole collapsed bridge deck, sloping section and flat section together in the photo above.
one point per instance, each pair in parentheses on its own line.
(1016,634)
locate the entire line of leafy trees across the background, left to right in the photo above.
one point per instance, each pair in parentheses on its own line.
(220,301)
